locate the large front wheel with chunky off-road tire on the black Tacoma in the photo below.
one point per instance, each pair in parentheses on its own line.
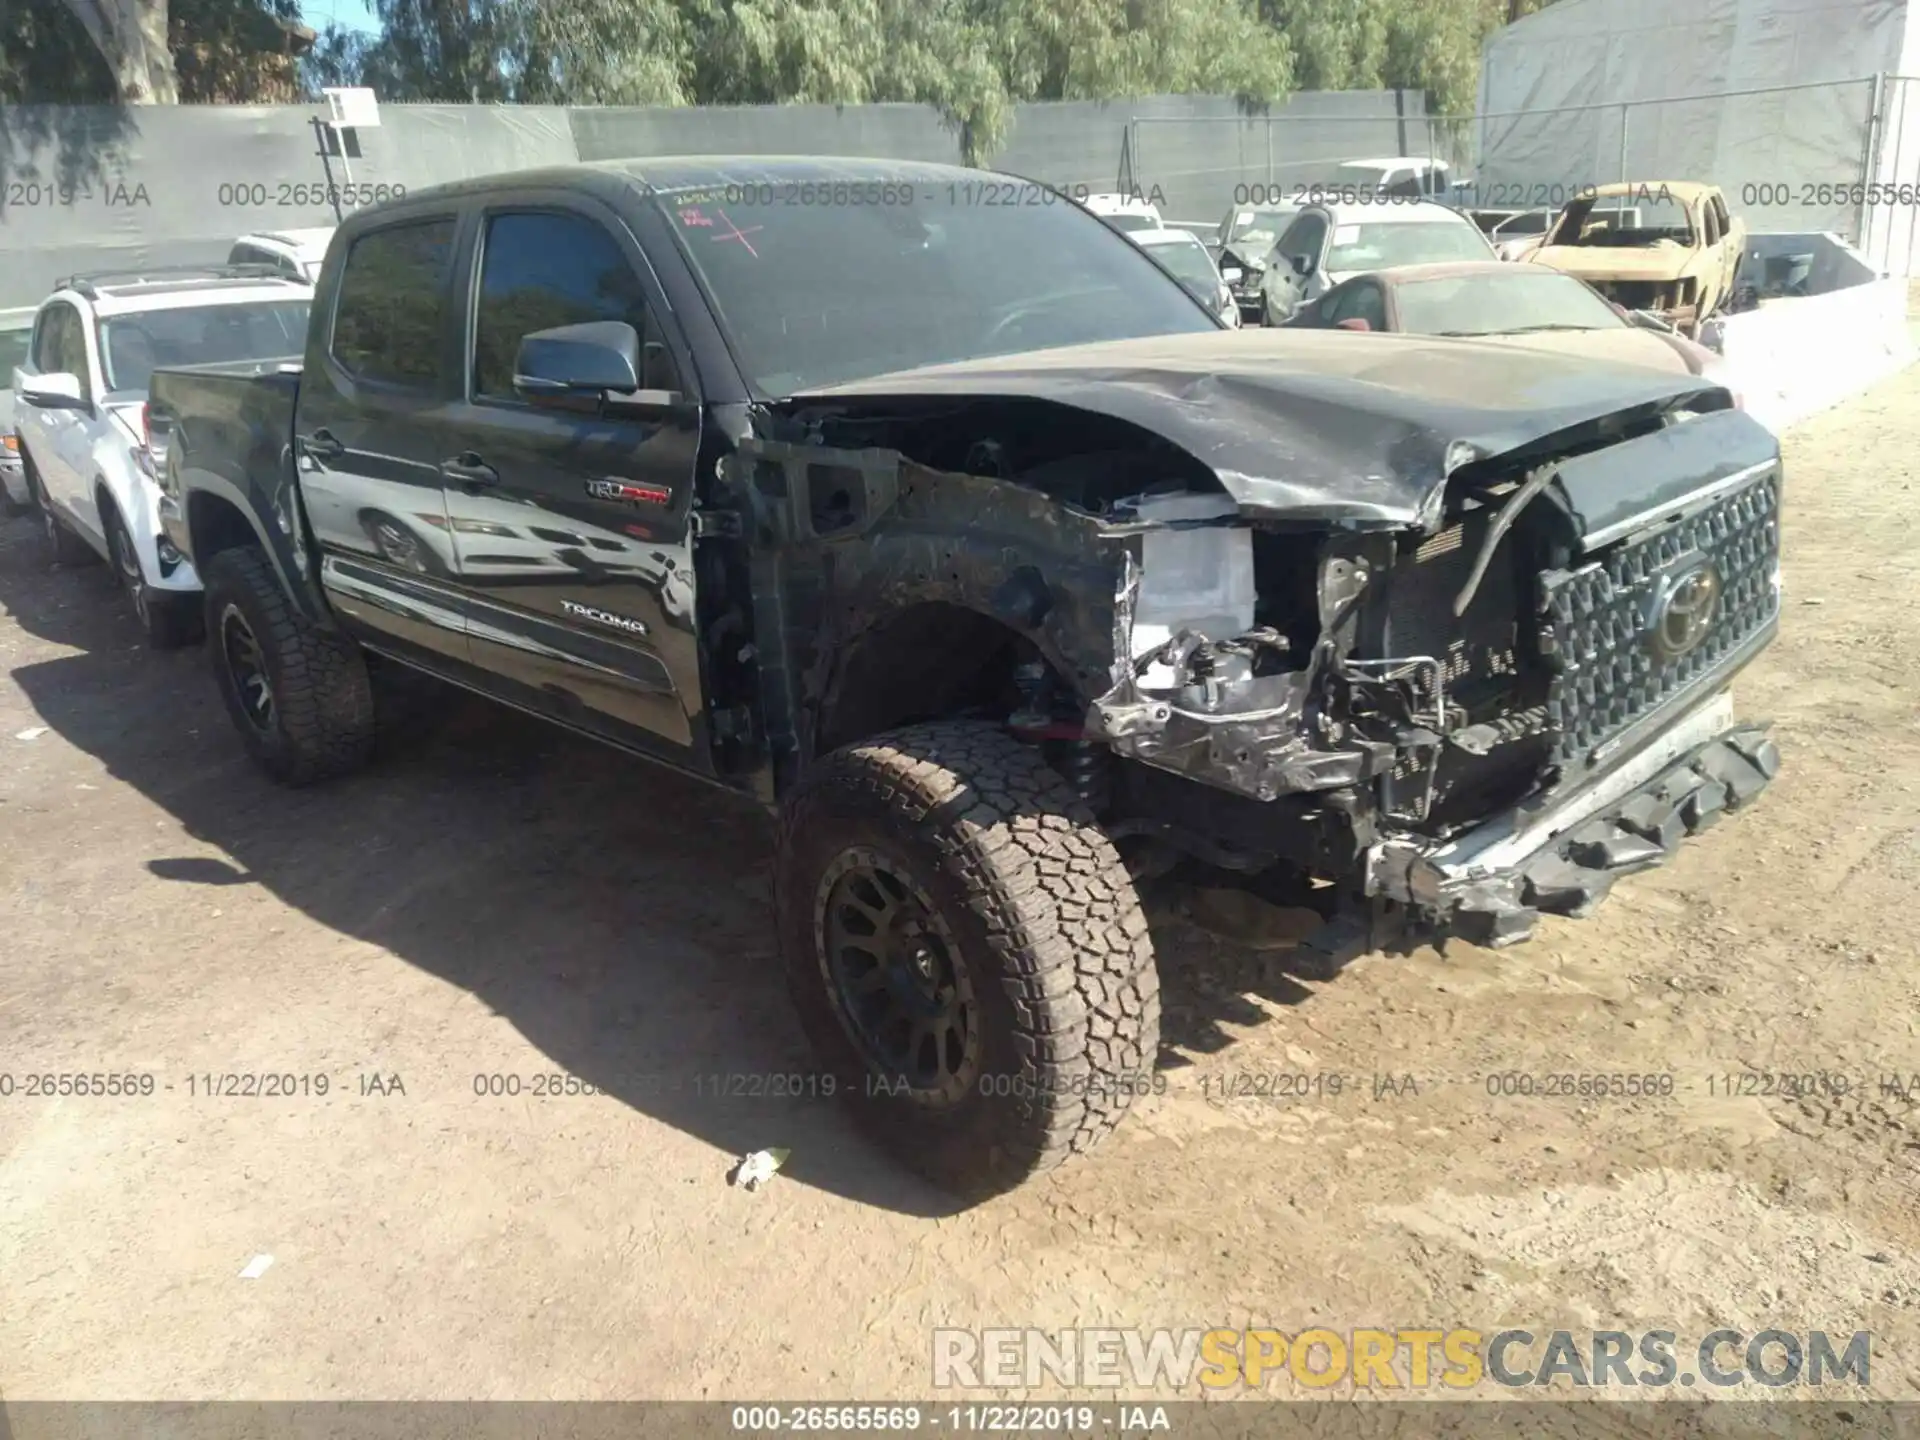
(967,953)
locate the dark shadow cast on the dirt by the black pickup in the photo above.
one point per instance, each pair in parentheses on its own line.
(617,915)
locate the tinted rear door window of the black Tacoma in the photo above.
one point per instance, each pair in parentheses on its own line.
(391,324)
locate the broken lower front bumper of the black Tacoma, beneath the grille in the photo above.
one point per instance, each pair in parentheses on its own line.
(1493,882)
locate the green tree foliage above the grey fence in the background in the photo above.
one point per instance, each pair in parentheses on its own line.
(974,60)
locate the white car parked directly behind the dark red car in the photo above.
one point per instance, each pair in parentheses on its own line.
(1328,245)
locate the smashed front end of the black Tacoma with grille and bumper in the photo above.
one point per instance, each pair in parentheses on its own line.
(1476,719)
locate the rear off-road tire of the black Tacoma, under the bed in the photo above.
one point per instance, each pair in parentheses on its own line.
(322,702)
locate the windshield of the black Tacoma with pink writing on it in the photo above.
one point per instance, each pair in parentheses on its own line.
(825,295)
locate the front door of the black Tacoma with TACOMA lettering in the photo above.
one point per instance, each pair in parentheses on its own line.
(571,529)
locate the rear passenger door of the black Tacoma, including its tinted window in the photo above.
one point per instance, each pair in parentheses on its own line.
(372,431)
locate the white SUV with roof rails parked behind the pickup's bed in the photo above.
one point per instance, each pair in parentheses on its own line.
(82,412)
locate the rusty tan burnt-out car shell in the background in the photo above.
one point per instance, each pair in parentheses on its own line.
(1662,247)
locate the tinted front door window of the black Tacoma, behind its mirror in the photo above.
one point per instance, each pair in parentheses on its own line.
(542,270)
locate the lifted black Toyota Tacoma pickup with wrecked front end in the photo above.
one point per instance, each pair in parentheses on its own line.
(928,512)
